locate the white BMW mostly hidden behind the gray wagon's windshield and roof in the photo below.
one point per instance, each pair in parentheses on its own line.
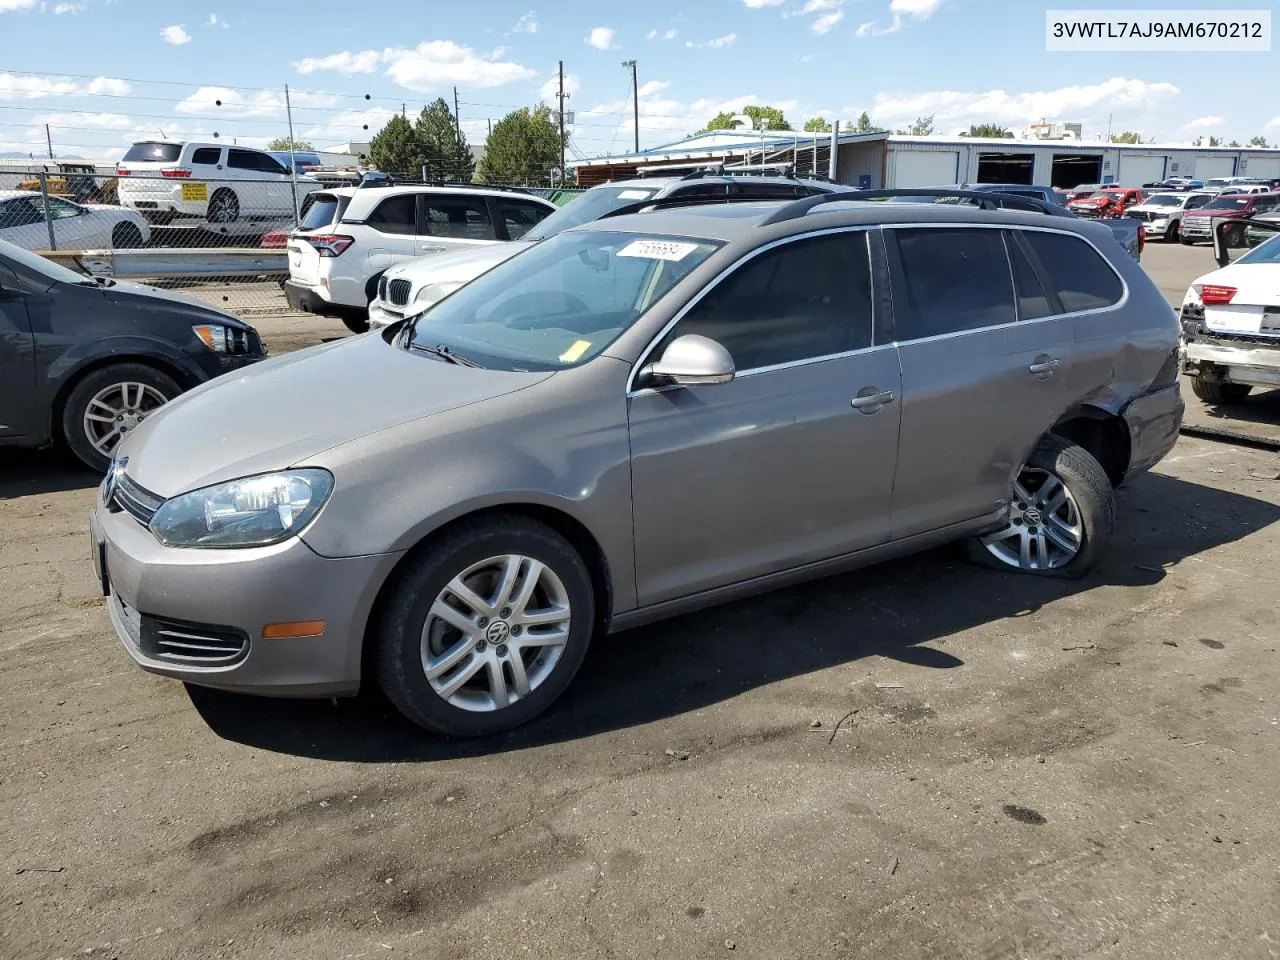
(417,285)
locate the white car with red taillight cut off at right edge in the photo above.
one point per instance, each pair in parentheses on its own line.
(1232,327)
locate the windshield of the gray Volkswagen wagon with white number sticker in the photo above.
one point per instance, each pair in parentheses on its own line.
(561,303)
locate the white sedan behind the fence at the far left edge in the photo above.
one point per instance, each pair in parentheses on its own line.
(76,226)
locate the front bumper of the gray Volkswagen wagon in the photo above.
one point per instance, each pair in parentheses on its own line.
(236,593)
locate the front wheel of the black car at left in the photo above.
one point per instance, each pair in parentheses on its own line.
(107,405)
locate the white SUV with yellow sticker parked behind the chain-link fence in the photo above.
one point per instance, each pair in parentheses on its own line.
(167,180)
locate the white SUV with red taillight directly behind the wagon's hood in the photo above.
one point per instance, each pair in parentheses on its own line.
(351,236)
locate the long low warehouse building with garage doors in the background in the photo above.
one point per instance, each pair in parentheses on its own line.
(872,161)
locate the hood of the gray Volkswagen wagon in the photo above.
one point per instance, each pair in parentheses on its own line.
(285,412)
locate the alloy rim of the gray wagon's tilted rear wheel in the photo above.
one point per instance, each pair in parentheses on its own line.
(1045,528)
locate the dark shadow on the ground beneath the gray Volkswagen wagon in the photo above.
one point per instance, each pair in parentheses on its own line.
(903,611)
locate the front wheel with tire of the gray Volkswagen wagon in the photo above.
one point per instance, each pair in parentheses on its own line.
(486,628)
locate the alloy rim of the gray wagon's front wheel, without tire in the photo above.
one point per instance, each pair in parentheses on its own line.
(496,633)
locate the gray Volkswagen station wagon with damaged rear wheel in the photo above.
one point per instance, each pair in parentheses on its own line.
(637,418)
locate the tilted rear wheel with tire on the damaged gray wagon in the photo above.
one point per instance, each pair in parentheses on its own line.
(1060,519)
